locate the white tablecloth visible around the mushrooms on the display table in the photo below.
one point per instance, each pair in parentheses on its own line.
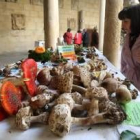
(8,131)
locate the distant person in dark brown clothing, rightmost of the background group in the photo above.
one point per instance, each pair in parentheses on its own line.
(95,38)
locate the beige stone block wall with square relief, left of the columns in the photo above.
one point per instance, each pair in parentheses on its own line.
(21,24)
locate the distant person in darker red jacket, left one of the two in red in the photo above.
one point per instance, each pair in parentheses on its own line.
(68,37)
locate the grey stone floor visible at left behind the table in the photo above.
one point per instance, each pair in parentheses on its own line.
(12,57)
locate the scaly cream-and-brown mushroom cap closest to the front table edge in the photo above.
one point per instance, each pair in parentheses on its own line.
(60,119)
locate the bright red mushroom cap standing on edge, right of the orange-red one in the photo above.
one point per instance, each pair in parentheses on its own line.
(29,68)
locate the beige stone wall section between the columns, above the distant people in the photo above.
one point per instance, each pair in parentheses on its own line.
(69,13)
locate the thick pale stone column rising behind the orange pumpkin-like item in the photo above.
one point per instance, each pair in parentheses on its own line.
(51,23)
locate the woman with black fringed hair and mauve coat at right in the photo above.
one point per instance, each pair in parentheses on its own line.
(130,55)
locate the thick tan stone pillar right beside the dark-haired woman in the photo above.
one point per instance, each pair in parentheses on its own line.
(112,31)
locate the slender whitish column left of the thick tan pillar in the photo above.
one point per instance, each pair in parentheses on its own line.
(101,24)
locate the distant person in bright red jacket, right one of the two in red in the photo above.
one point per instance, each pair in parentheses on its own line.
(78,38)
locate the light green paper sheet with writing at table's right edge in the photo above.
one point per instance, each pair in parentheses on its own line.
(132,110)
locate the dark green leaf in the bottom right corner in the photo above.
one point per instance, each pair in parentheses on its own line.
(128,135)
